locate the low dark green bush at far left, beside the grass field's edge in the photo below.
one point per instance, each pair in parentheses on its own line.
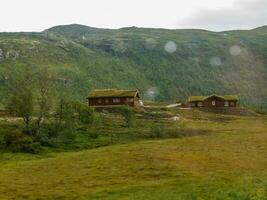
(18,142)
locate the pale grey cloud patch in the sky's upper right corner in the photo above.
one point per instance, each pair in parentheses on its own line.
(242,14)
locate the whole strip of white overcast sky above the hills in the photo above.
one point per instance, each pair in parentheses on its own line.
(216,15)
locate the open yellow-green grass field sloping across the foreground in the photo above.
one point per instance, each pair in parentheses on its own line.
(227,160)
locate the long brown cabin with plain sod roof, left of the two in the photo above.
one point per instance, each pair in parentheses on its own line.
(113,97)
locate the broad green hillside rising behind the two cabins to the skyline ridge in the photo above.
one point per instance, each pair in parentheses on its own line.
(162,64)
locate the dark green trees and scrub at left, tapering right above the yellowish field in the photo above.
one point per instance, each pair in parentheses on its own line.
(44,121)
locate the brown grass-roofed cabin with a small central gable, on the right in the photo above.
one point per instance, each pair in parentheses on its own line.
(213,101)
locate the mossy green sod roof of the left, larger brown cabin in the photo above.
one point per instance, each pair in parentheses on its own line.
(113,93)
